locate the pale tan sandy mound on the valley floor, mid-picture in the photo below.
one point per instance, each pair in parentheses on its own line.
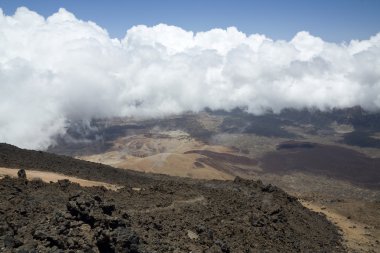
(163,153)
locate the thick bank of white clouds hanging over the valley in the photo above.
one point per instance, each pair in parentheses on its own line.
(62,69)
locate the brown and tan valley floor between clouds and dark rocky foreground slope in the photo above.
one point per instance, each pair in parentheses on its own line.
(329,159)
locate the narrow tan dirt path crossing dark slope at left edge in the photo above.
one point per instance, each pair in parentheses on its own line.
(54,177)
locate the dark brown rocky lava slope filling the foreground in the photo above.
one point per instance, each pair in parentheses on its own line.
(159,214)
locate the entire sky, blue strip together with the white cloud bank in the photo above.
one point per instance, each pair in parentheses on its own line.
(148,59)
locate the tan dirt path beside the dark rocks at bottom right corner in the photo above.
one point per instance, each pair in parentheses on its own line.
(356,237)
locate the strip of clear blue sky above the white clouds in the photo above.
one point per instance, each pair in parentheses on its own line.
(336,21)
